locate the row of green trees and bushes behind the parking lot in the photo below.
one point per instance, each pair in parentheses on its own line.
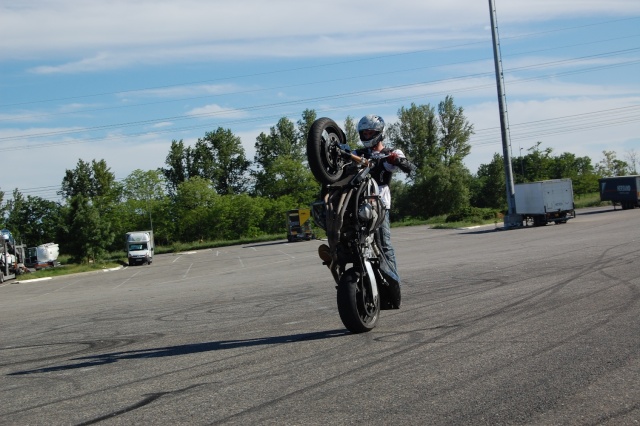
(211,191)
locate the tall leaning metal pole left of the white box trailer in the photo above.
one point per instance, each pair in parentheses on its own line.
(512,219)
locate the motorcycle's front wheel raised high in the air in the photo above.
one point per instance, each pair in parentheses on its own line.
(323,153)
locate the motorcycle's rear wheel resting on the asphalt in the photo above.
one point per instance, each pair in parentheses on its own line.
(358,311)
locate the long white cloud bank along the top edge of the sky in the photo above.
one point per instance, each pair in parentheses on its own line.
(92,35)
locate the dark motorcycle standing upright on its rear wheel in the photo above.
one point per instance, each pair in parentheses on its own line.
(351,212)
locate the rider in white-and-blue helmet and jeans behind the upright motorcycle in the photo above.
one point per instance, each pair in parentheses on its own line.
(371,129)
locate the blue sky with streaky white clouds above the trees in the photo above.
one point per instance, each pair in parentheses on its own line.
(120,80)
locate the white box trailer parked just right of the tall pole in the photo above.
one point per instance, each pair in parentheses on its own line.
(545,201)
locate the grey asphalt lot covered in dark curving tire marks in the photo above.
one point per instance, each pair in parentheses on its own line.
(527,326)
